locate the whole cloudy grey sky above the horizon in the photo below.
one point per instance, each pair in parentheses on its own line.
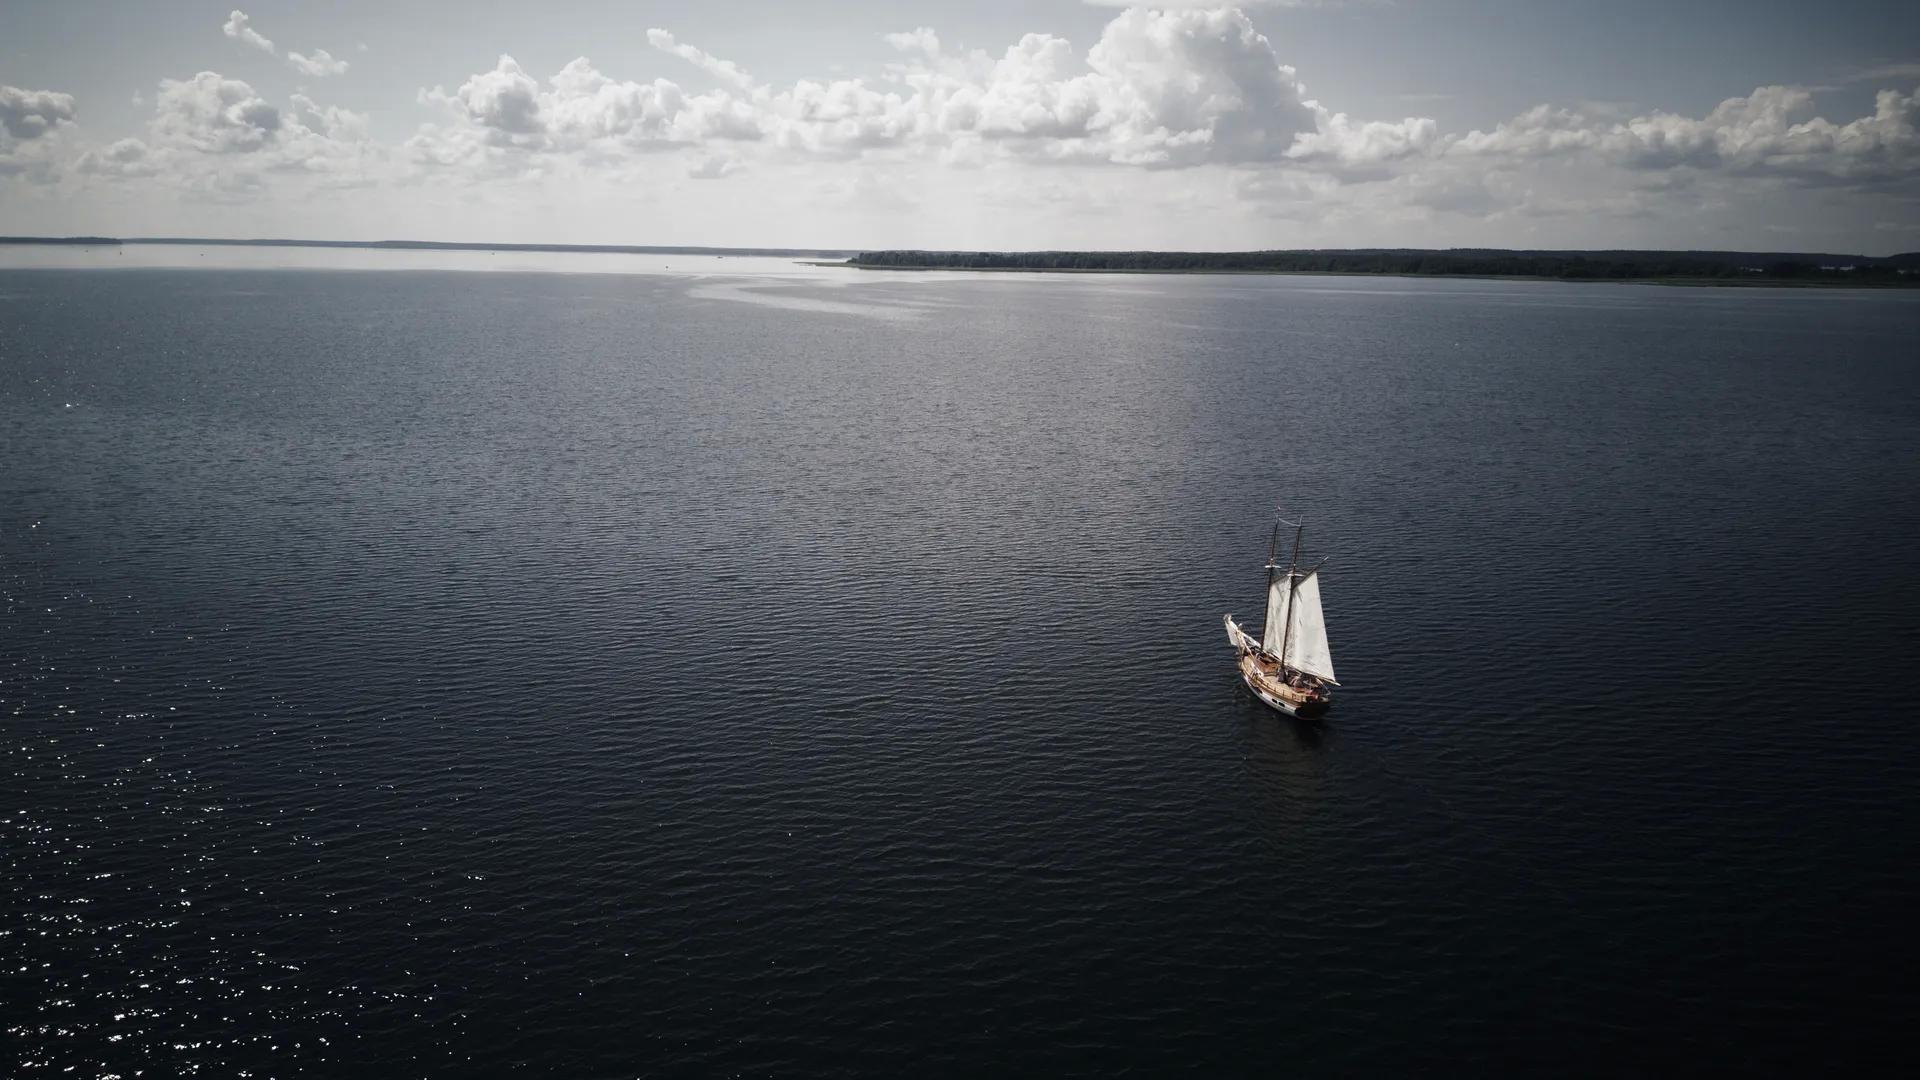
(984,124)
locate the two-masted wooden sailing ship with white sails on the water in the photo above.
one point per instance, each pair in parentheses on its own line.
(1289,666)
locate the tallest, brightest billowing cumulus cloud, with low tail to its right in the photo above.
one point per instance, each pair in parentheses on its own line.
(1159,89)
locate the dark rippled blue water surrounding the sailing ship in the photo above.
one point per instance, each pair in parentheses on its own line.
(585,675)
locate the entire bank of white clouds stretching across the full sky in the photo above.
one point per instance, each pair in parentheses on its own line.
(1191,110)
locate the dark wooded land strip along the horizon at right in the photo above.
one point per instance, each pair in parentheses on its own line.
(1704,268)
